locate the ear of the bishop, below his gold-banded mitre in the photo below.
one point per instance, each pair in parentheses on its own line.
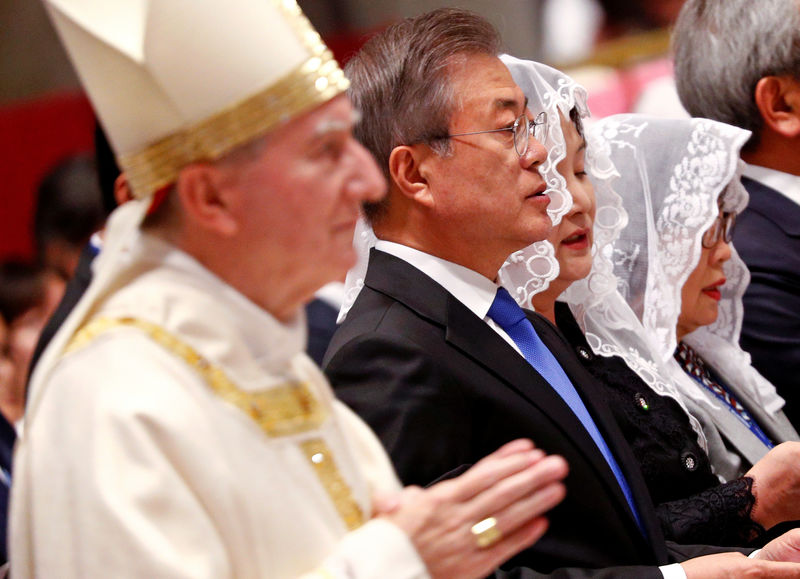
(207,200)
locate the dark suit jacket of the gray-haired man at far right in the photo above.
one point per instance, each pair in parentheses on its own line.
(767,237)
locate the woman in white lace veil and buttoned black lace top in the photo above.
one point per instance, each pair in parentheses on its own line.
(666,438)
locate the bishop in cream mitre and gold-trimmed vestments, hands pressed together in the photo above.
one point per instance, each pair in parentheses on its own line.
(175,428)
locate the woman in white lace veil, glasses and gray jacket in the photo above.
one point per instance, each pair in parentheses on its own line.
(683,279)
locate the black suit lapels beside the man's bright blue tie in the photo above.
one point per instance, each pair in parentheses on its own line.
(475,339)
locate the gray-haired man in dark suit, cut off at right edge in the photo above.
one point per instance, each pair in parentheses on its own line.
(749,76)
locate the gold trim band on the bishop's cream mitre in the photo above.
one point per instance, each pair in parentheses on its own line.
(314,82)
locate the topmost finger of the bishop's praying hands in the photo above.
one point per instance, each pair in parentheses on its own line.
(487,473)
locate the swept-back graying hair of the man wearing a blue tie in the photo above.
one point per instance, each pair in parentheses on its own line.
(401,84)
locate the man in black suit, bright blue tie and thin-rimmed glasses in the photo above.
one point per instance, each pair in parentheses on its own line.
(426,354)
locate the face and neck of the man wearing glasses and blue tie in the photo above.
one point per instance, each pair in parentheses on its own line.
(489,201)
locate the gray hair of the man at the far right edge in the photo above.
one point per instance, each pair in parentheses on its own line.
(724,47)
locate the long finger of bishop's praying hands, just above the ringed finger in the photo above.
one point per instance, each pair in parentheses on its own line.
(517,486)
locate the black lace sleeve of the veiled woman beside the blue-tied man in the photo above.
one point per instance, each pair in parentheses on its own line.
(721,513)
